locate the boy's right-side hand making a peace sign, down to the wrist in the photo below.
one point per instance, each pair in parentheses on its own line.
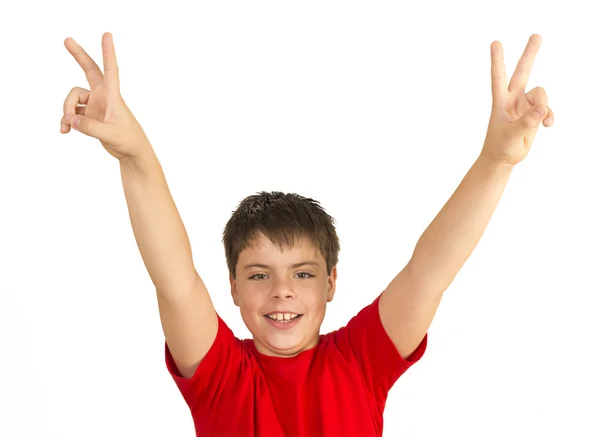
(514,120)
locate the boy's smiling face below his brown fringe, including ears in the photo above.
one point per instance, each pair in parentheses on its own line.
(282,295)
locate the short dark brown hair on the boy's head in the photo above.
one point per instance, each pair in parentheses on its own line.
(283,218)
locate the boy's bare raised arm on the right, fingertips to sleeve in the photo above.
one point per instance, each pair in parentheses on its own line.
(410,302)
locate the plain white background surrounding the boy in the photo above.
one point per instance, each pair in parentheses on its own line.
(376,109)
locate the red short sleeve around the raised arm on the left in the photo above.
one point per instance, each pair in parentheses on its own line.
(216,374)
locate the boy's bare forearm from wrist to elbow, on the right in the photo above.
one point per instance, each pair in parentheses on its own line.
(452,236)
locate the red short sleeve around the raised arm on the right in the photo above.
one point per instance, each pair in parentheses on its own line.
(380,362)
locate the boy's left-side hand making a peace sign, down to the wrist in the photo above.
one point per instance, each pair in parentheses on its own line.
(104,115)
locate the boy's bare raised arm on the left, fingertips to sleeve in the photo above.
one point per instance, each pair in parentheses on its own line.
(187,314)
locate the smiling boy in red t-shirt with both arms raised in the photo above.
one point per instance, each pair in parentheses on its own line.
(282,250)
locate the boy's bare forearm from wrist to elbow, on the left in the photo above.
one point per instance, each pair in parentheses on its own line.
(158,229)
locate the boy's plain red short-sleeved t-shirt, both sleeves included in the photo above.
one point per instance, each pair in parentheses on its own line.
(338,388)
